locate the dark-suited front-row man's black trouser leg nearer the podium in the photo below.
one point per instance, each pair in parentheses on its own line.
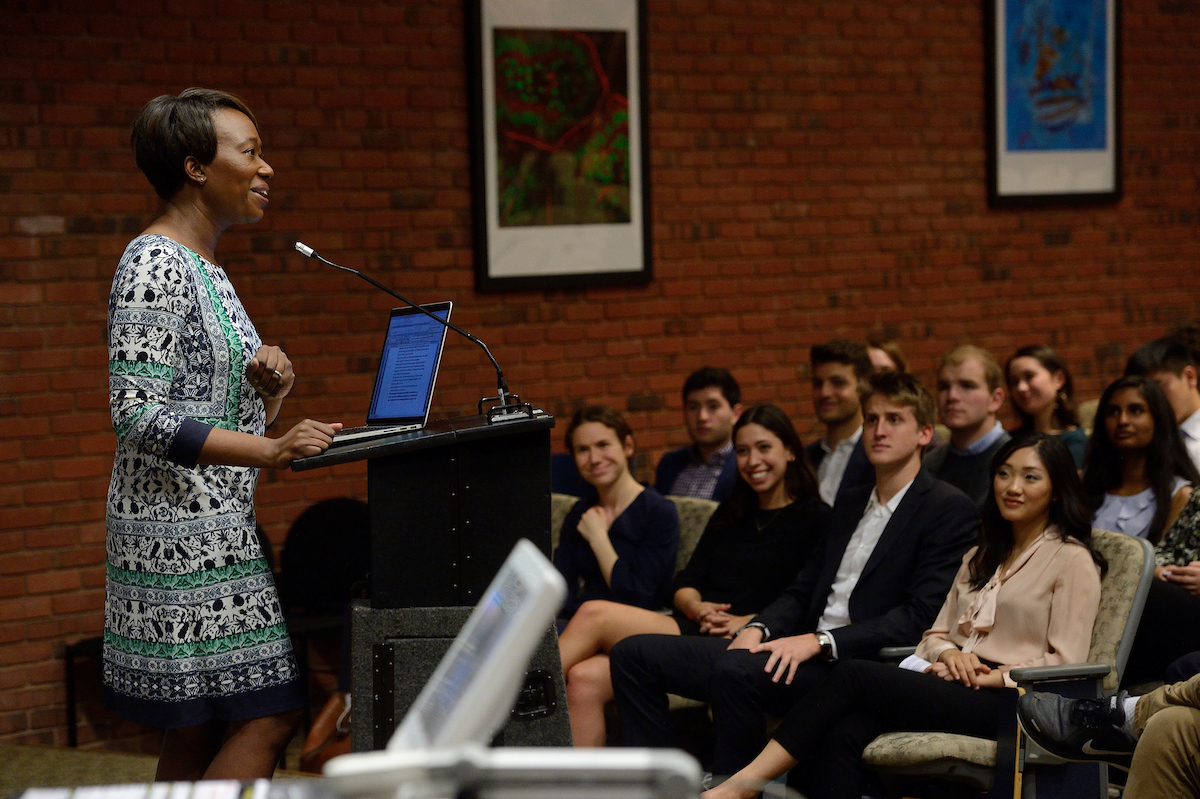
(645,669)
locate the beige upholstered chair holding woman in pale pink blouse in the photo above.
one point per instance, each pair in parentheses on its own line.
(971,762)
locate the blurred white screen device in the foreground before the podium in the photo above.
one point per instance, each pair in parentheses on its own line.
(440,749)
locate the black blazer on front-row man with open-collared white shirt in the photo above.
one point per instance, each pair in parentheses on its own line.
(903,585)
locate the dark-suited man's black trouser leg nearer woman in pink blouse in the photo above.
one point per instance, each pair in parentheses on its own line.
(743,694)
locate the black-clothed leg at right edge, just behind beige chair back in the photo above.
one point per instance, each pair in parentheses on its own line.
(1169,629)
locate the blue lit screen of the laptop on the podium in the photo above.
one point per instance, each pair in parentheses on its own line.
(410,367)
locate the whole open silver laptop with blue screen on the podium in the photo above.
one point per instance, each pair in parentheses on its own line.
(409,369)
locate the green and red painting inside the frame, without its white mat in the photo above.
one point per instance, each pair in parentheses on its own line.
(562,125)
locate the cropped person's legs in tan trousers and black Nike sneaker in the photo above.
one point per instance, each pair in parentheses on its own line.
(1155,737)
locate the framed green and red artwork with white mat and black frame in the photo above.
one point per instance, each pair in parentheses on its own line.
(559,137)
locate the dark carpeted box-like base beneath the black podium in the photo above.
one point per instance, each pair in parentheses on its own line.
(394,653)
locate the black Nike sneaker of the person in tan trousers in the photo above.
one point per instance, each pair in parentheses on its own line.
(1078,730)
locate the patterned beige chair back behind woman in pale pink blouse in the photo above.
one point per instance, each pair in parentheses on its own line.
(1124,591)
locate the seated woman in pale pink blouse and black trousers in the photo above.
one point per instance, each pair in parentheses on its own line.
(1027,596)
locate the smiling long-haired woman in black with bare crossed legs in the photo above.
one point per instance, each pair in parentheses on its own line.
(752,549)
